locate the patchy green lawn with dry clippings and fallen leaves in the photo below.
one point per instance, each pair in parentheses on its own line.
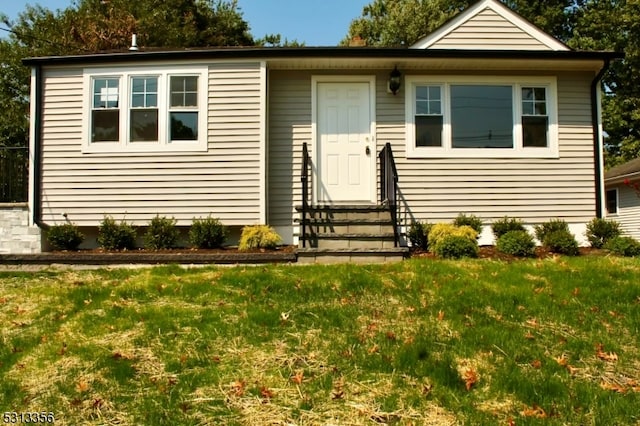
(551,342)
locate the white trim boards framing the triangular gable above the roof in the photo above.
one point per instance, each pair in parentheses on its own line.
(546,41)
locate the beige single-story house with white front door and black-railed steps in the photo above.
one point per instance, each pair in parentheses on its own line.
(488,116)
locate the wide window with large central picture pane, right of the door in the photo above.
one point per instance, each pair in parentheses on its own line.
(506,117)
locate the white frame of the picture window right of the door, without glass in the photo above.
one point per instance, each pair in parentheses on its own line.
(446,150)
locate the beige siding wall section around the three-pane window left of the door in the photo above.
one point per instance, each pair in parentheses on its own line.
(224,181)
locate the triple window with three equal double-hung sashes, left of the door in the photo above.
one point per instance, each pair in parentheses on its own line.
(146,109)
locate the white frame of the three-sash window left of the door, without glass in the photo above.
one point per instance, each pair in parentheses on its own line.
(125,74)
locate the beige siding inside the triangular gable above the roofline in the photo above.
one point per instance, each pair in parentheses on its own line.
(488,30)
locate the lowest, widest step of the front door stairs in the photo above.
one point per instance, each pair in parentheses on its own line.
(325,256)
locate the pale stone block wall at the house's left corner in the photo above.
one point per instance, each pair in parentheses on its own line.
(16,236)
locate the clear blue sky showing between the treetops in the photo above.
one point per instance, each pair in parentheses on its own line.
(314,22)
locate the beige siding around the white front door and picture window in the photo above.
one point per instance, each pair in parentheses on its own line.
(439,189)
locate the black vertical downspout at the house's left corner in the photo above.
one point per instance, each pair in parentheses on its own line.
(37,147)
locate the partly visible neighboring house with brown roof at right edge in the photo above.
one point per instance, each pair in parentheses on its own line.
(622,186)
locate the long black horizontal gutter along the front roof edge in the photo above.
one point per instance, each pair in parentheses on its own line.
(318,52)
